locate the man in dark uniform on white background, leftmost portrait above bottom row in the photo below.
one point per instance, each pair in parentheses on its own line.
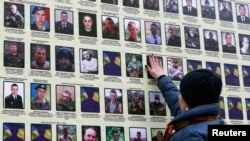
(14,100)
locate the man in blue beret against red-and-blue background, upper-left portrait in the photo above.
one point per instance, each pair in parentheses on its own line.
(40,19)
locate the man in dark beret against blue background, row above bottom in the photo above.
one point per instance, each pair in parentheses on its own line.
(40,102)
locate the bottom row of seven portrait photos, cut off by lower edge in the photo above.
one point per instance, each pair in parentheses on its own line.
(43,132)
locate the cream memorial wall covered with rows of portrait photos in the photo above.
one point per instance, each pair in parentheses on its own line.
(86,61)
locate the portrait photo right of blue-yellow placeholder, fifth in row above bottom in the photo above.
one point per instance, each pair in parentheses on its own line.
(113,101)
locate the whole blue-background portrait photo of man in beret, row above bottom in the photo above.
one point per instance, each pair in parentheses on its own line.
(40,94)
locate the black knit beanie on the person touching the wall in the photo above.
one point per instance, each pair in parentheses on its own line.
(200,87)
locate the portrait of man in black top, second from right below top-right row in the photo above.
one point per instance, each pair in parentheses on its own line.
(228,42)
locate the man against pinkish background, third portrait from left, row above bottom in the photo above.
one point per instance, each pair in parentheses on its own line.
(65,103)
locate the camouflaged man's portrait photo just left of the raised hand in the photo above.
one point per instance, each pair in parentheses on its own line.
(134,65)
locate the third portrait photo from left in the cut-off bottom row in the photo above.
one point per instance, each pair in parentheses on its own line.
(66,131)
